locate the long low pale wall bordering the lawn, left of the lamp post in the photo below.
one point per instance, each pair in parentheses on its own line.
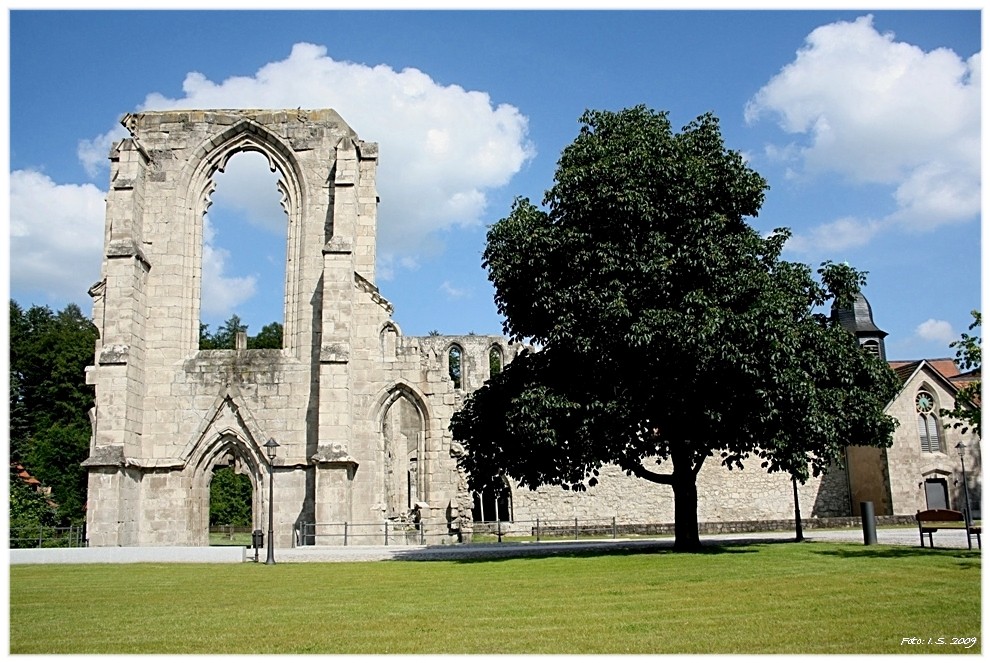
(130,555)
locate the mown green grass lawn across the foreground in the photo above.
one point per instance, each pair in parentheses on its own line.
(812,598)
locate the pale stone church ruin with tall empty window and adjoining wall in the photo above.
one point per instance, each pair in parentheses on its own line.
(359,411)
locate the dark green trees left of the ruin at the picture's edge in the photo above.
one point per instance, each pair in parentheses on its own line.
(50,400)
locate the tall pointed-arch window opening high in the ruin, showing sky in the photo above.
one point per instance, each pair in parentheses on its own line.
(245,241)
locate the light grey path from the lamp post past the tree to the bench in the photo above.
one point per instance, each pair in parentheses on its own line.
(900,536)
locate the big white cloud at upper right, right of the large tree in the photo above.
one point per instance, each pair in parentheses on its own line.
(878,111)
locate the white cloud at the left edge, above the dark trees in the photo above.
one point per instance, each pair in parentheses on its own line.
(56,236)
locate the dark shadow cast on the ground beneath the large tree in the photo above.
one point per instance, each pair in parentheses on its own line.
(494,552)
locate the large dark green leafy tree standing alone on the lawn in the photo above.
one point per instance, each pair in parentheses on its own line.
(669,327)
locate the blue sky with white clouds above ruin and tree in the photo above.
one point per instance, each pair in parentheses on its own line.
(865,124)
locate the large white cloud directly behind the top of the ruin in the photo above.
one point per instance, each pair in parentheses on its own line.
(441,147)
